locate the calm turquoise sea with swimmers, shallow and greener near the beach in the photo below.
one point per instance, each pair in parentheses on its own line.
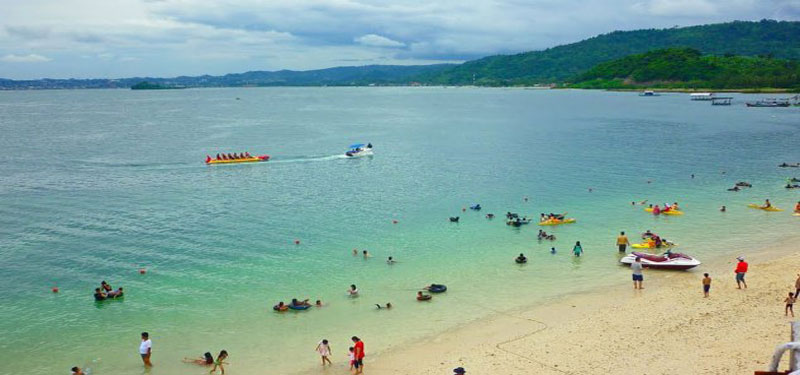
(97,184)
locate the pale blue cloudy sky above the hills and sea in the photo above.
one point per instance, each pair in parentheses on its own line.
(166,38)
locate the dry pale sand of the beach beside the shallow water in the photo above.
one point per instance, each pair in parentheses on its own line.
(667,328)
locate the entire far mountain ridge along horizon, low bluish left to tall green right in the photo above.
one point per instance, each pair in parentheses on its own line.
(779,39)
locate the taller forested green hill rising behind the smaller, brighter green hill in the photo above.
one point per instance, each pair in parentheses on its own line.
(766,37)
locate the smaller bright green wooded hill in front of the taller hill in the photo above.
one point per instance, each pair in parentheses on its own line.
(689,68)
